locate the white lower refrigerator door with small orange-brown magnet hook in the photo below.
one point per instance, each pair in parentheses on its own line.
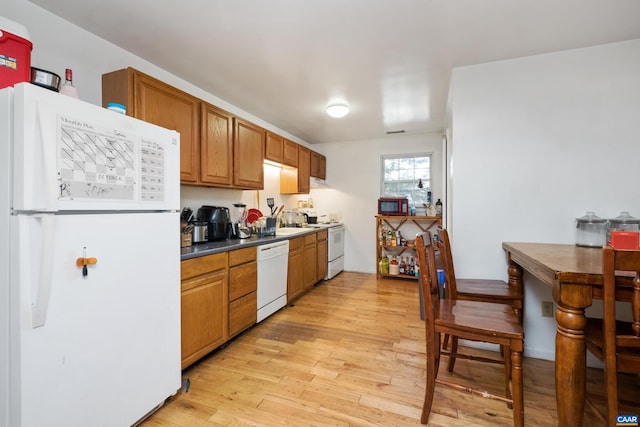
(107,349)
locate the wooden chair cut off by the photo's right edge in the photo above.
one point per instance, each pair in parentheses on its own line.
(615,342)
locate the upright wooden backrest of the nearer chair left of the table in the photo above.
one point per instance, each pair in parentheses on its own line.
(429,281)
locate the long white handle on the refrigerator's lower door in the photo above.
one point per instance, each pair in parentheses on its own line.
(40,304)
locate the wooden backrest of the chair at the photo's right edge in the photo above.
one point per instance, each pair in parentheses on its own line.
(620,261)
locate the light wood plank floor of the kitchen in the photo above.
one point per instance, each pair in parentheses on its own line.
(351,353)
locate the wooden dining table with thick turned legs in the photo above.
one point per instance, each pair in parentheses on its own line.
(574,274)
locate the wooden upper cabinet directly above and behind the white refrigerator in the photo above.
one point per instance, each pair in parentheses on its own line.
(156,102)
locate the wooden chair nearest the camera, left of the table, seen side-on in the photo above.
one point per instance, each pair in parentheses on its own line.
(469,320)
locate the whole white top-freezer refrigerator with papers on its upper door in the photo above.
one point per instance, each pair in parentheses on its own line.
(89,263)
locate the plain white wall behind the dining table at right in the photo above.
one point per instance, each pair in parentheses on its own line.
(537,142)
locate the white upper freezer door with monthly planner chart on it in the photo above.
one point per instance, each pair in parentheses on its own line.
(70,155)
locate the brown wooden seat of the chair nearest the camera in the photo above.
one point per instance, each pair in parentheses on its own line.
(473,319)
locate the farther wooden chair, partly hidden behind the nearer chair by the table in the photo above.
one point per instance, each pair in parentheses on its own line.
(487,290)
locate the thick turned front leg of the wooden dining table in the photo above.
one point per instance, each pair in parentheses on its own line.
(571,361)
